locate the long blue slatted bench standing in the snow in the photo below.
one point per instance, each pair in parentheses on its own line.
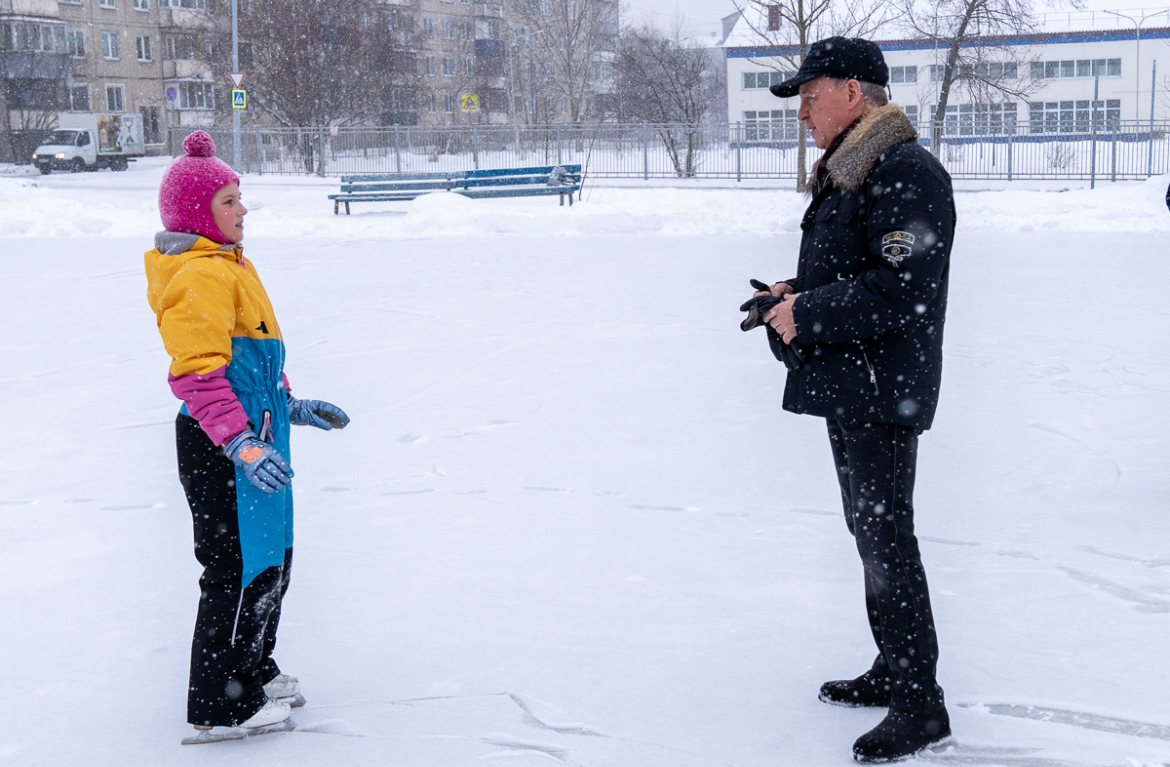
(562,181)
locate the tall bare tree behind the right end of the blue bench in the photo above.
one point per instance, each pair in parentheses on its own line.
(563,57)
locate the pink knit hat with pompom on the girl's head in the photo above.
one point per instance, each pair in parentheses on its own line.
(189,185)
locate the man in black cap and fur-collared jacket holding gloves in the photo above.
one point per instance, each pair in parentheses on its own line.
(866,312)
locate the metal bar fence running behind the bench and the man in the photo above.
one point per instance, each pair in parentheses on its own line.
(1106,150)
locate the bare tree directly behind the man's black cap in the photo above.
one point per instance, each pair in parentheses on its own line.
(788,27)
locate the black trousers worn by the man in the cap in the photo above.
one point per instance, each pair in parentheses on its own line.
(876,466)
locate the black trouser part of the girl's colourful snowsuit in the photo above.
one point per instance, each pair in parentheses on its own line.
(236,627)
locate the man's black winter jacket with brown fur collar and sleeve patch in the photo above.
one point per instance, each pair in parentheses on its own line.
(873,272)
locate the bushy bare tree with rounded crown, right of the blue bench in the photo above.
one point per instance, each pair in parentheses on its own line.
(672,85)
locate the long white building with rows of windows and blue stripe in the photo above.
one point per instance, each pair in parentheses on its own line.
(1057,66)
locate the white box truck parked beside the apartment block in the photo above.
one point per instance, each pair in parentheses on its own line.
(92,142)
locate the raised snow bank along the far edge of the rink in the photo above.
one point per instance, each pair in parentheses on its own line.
(126,205)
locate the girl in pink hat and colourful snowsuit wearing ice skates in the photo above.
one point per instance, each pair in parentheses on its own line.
(228,362)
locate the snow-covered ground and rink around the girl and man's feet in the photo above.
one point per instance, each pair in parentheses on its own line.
(570,522)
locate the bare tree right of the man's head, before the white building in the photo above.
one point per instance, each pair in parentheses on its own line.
(973,38)
